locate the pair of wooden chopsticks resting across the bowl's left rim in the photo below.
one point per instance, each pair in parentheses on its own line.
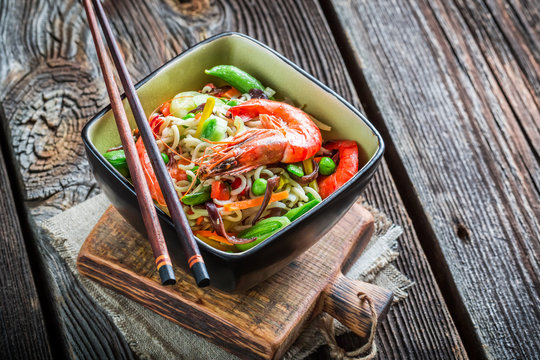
(151,222)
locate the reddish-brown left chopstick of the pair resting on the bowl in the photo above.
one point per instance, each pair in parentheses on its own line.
(146,204)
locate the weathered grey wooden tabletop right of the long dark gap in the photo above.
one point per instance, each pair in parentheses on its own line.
(456,85)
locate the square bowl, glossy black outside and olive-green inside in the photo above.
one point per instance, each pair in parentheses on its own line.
(240,271)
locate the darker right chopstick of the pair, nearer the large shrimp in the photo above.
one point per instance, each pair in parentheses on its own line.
(181,224)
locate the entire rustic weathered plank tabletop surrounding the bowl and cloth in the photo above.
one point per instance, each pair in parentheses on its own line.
(454,86)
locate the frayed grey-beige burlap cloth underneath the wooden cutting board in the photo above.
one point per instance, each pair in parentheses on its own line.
(151,336)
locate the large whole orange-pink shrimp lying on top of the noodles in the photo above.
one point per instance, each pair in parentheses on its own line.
(287,135)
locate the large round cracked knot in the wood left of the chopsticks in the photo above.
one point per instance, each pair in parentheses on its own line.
(46,111)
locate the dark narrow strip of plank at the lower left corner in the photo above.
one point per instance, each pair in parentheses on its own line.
(22,327)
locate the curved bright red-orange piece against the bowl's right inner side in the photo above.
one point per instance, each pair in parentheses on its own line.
(346,168)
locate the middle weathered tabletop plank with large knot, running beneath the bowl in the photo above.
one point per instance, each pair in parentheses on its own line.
(50,86)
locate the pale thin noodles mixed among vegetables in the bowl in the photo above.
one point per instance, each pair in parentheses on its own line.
(177,137)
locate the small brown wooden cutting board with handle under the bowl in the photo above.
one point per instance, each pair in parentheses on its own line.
(260,323)
